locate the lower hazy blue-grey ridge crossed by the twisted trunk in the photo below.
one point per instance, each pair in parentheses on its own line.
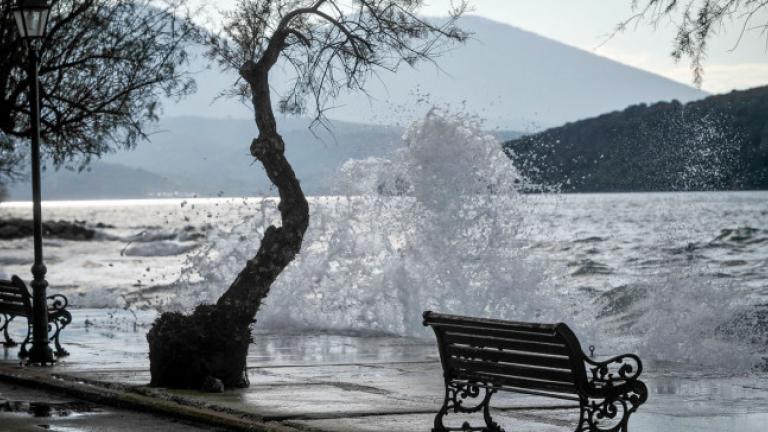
(211,156)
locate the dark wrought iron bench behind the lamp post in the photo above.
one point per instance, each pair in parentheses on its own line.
(15,301)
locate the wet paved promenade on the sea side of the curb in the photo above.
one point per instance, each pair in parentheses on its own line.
(331,382)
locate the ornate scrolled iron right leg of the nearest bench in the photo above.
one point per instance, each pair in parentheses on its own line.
(612,414)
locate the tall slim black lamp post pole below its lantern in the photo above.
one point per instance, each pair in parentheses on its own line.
(40,352)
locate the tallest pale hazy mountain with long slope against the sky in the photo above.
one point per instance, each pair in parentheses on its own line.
(514,79)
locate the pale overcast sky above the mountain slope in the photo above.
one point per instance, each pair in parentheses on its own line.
(586,24)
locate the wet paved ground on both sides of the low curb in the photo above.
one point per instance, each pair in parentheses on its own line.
(351,383)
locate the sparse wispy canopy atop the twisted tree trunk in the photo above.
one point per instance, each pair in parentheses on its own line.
(329,46)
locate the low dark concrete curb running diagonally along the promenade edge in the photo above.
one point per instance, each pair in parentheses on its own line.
(141,399)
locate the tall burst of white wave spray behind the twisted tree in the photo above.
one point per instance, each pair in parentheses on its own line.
(435,226)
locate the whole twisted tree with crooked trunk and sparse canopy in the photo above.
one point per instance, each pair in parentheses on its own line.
(329,45)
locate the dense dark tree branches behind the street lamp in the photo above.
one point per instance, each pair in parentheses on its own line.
(105,64)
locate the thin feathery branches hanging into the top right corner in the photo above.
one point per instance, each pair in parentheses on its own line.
(699,20)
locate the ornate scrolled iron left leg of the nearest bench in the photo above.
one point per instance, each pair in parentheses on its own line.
(455,396)
